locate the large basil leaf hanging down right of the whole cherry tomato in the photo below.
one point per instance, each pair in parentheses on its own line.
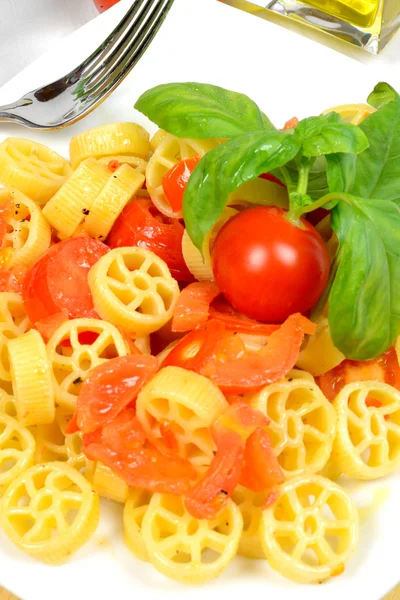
(364,302)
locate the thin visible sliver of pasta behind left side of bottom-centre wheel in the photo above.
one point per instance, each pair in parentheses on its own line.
(134,511)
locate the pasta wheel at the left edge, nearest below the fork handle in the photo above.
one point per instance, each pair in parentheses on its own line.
(32,168)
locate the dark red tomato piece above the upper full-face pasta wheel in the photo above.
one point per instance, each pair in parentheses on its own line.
(141,224)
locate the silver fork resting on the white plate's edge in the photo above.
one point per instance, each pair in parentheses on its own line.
(73,96)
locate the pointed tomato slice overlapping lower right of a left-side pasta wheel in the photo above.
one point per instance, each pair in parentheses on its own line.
(110,387)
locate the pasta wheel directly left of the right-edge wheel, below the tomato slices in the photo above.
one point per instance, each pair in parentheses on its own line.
(302,424)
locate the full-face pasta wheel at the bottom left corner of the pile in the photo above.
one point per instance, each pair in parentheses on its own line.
(50,511)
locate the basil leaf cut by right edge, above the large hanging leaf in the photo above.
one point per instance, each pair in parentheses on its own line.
(377,169)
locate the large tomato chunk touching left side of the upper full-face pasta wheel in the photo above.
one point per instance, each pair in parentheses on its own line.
(57,282)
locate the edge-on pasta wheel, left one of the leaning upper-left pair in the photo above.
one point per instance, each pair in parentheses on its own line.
(69,206)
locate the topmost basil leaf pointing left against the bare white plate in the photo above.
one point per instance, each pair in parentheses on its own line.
(198,110)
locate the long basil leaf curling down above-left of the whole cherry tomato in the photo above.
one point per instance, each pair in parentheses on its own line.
(221,171)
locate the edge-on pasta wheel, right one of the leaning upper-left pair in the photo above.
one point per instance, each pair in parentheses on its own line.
(118,191)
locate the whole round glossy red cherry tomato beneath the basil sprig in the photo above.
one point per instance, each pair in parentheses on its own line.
(268,268)
